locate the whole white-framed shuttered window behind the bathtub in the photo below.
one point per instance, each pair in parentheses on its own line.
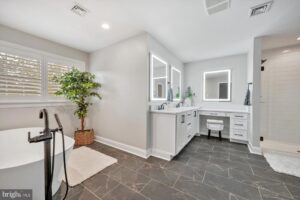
(26,74)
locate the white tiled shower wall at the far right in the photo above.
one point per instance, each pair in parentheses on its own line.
(280,102)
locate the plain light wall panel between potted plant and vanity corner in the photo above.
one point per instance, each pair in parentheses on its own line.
(122,69)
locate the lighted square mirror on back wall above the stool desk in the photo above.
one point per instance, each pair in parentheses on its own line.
(217,85)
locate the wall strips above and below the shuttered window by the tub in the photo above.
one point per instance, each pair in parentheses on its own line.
(26,115)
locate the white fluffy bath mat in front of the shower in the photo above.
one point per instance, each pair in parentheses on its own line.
(284,163)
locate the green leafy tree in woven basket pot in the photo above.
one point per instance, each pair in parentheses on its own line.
(79,87)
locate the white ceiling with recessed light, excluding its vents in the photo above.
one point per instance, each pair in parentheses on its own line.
(181,25)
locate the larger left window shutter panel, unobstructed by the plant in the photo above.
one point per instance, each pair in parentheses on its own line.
(19,75)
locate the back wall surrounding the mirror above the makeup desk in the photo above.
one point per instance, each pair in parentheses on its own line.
(238,65)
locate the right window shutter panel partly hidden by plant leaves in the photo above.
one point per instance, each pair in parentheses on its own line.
(54,69)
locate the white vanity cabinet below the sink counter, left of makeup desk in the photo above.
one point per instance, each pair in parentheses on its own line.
(171,131)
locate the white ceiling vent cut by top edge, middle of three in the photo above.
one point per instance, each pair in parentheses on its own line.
(215,6)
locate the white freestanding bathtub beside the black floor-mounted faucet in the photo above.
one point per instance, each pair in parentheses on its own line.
(22,163)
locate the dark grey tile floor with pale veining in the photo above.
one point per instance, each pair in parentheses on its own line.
(204,170)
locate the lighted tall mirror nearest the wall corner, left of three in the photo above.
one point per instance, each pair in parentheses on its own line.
(159,78)
